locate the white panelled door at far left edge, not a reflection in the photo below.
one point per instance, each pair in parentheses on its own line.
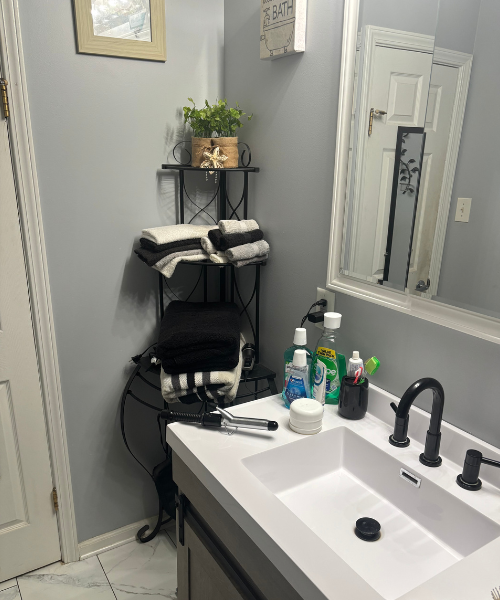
(28,523)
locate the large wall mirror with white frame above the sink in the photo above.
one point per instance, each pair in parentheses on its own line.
(415,143)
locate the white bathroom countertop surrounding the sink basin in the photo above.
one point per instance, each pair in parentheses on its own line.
(308,563)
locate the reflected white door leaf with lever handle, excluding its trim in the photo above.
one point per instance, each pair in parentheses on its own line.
(399,85)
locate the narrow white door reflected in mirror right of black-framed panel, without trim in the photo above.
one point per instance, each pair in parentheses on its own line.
(442,96)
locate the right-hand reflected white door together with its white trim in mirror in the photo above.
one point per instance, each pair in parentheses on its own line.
(445,114)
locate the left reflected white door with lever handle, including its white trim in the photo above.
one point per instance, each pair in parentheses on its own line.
(395,75)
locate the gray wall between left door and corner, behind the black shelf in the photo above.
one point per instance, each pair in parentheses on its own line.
(102,126)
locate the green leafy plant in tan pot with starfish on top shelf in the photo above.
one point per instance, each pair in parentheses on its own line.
(214,126)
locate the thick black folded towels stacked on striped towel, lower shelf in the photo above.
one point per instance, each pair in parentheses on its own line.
(199,336)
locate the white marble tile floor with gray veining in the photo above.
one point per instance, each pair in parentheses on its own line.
(134,570)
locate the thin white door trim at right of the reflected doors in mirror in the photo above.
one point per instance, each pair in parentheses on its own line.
(462,61)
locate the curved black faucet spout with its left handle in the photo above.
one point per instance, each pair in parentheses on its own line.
(430,456)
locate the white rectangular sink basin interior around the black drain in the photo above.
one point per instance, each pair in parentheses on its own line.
(331,479)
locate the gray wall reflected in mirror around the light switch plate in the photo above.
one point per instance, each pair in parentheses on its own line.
(469,271)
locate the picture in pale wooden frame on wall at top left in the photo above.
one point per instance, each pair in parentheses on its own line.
(127,28)
